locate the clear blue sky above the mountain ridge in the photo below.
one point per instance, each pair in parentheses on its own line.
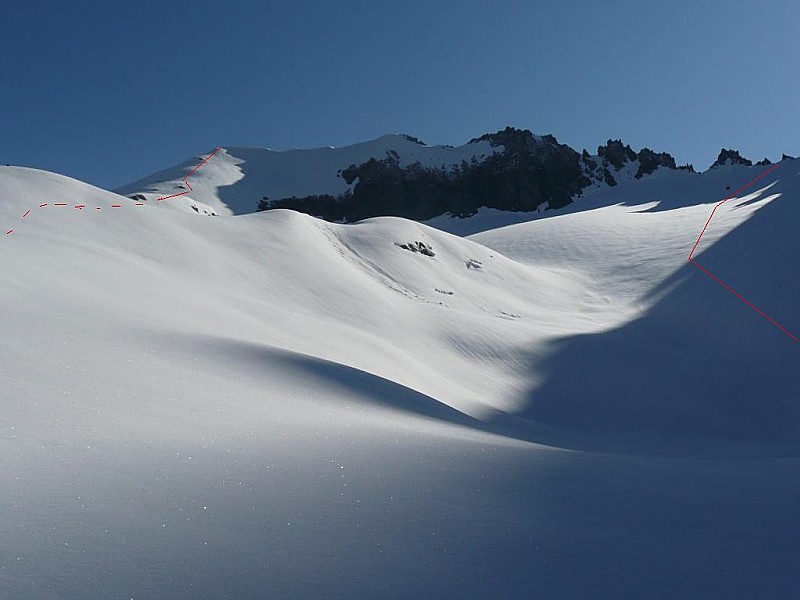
(111,91)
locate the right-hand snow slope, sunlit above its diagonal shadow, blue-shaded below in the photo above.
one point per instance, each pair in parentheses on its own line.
(695,359)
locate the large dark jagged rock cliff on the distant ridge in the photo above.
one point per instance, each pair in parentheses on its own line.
(527,172)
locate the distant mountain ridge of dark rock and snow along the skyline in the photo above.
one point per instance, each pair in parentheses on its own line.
(399,175)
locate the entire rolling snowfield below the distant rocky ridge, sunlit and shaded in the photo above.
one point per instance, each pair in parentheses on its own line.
(272,406)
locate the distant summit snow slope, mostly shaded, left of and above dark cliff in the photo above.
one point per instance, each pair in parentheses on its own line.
(237,178)
